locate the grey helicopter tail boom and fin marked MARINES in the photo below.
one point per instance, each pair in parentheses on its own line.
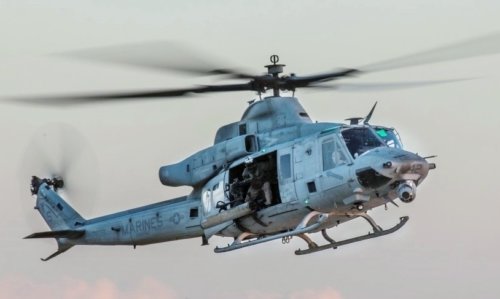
(164,221)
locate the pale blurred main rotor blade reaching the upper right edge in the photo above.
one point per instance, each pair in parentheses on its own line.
(485,45)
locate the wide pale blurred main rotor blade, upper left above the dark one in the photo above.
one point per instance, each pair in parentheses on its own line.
(158,55)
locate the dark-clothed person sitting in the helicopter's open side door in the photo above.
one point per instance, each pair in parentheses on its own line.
(260,188)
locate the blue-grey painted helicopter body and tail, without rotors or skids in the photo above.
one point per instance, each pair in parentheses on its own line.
(275,127)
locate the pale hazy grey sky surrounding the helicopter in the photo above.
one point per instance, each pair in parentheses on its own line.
(448,249)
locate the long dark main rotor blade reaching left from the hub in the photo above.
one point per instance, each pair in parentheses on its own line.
(93,98)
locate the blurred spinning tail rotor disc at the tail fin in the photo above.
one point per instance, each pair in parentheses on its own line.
(60,151)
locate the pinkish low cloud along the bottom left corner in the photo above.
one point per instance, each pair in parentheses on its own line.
(21,287)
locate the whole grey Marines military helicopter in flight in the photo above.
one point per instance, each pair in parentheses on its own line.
(274,174)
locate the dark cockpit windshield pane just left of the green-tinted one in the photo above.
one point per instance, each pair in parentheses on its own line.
(360,140)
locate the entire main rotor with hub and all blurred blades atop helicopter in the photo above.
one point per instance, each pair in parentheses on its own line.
(164,56)
